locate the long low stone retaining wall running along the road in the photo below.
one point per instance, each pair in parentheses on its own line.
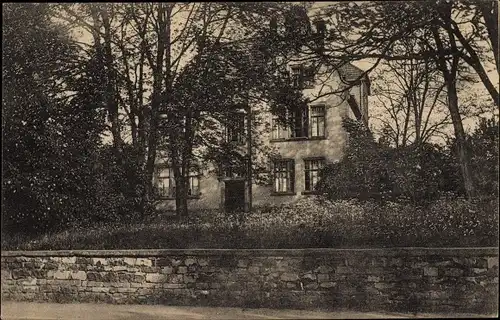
(403,279)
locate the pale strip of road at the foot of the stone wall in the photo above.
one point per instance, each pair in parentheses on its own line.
(81,311)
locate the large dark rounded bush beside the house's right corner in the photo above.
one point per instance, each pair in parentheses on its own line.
(371,171)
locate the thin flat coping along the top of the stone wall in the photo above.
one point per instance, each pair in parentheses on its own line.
(388,252)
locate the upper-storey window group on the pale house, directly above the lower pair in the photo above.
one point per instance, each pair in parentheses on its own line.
(305,123)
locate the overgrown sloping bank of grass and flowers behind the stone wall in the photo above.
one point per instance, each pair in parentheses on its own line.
(305,224)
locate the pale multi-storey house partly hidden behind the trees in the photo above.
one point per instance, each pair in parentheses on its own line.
(314,137)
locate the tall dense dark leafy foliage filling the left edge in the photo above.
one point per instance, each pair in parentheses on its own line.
(48,141)
